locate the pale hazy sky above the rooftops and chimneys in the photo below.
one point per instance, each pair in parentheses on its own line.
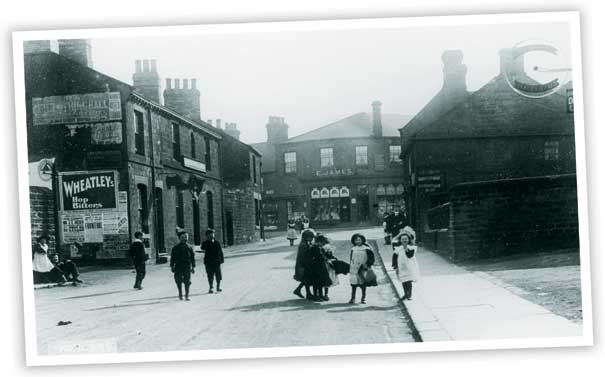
(313,78)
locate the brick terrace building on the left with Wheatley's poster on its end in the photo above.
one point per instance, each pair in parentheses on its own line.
(123,162)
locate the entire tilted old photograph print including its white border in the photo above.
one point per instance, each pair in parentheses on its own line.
(302,188)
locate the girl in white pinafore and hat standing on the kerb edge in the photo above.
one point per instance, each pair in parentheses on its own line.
(405,263)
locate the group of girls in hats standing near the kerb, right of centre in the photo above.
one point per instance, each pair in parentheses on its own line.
(317,268)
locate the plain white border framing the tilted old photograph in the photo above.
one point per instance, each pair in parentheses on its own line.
(572,18)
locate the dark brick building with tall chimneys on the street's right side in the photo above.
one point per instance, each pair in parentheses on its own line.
(490,172)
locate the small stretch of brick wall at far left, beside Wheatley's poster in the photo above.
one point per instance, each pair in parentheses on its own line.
(41,201)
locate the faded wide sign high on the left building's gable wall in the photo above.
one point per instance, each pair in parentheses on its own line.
(77,108)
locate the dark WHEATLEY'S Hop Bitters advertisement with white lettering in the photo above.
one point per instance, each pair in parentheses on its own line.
(88,190)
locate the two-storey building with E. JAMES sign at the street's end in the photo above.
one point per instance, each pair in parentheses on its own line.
(345,173)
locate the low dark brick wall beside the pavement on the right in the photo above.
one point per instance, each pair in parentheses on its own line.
(504,217)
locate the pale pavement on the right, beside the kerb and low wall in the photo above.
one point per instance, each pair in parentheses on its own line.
(454,303)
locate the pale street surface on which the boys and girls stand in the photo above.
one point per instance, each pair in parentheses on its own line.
(255,309)
